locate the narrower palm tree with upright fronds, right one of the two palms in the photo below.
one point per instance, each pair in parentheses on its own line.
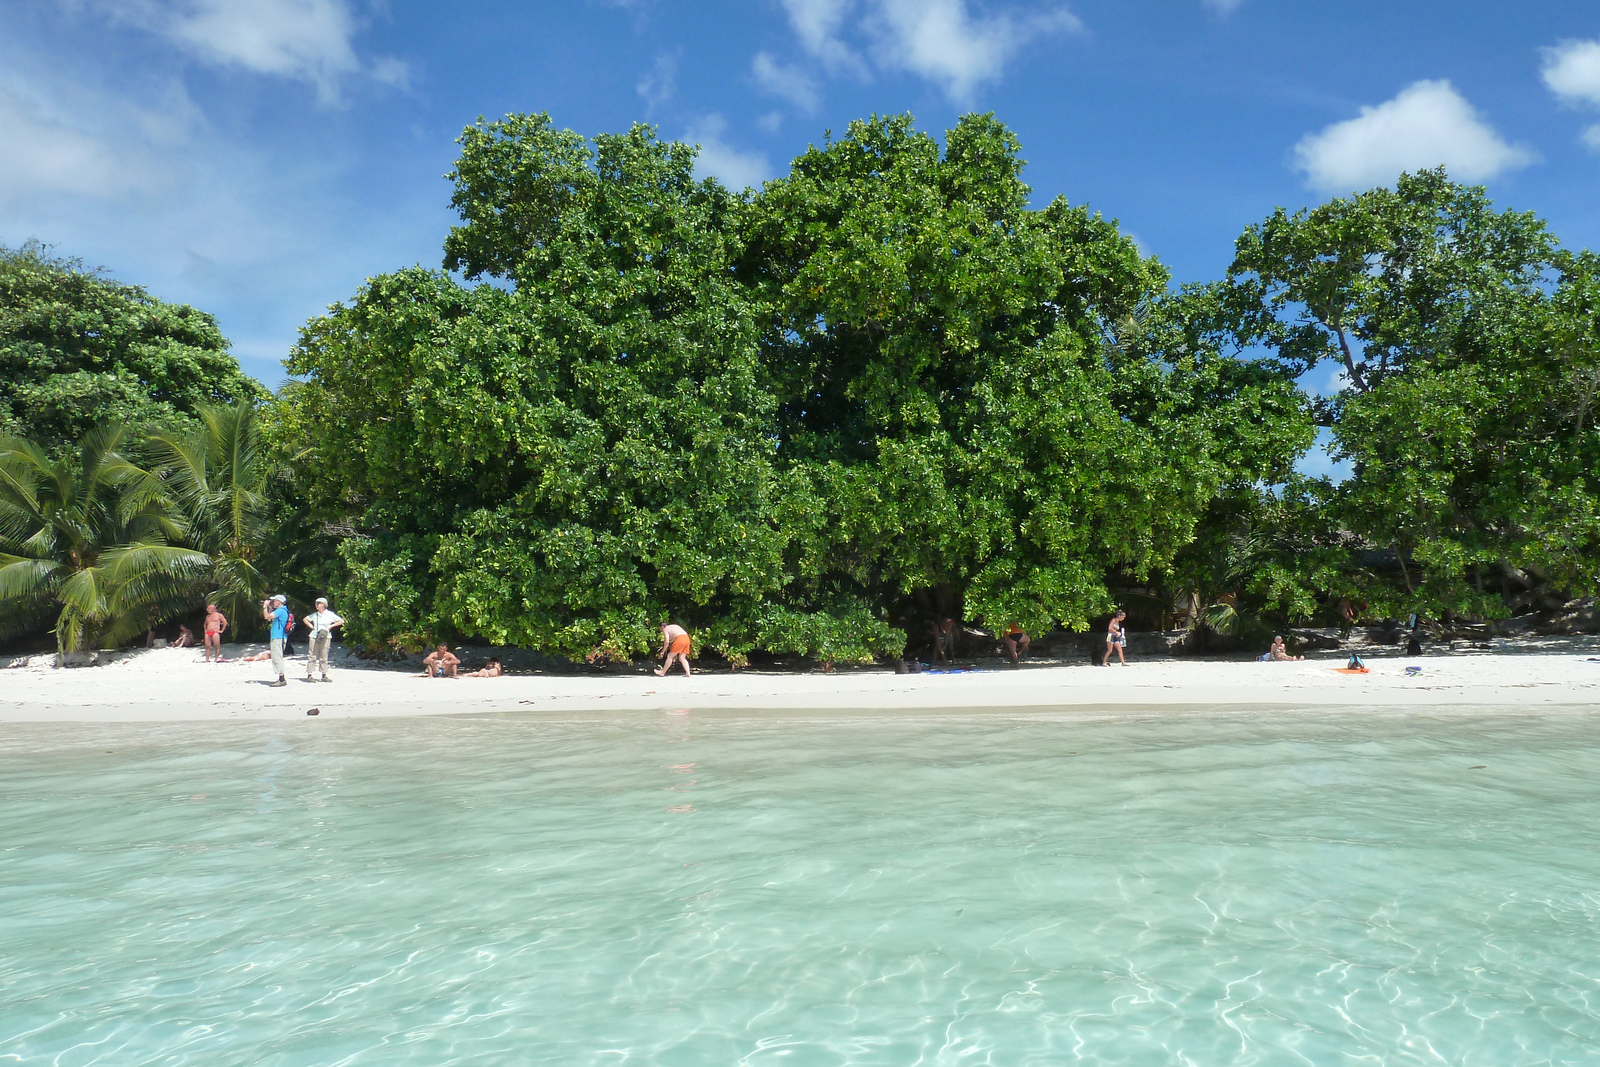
(217,476)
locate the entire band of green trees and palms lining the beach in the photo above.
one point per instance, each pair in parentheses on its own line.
(814,418)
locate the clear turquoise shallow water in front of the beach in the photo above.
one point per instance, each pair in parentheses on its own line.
(721,889)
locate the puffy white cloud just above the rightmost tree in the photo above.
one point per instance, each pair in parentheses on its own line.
(1426,126)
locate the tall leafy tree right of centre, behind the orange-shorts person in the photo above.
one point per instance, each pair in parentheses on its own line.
(986,404)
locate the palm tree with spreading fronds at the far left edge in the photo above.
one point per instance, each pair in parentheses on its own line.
(90,543)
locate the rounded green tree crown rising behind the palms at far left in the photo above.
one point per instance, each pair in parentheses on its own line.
(79,350)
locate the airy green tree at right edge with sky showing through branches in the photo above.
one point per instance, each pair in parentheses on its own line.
(1466,342)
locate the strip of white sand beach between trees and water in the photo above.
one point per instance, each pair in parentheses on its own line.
(172,684)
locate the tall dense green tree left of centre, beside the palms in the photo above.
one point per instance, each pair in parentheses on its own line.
(570,457)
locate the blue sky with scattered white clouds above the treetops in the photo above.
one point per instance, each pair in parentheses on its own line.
(262,159)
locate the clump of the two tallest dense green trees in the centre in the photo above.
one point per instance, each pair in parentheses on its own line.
(791,420)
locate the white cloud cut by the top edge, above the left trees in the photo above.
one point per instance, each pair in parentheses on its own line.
(306,41)
